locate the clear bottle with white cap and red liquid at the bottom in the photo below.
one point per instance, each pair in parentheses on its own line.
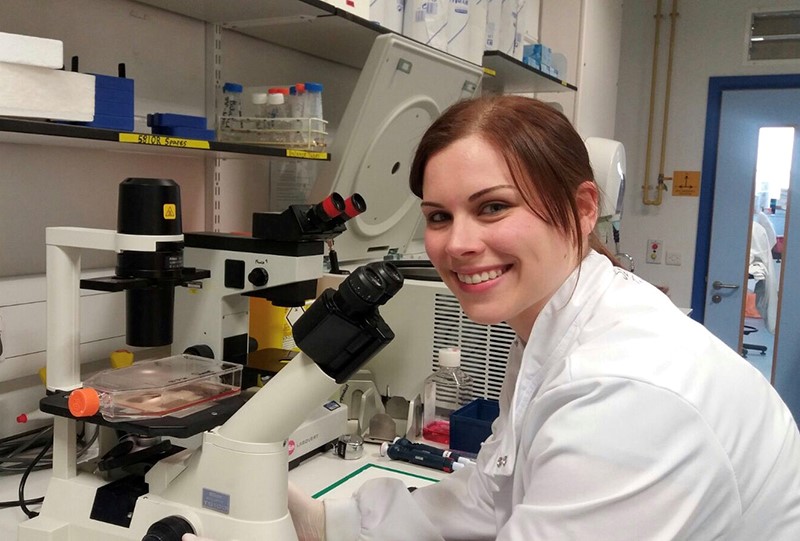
(446,390)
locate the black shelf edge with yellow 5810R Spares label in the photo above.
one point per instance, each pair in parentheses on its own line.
(14,130)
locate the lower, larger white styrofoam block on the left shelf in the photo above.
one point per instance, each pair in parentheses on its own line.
(31,91)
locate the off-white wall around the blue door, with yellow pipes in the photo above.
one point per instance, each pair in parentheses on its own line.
(710,41)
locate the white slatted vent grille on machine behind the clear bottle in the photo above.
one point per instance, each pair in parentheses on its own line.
(484,348)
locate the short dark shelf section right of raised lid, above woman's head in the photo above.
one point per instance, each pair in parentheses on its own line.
(505,74)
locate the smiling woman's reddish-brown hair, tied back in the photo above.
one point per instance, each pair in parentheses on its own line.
(545,155)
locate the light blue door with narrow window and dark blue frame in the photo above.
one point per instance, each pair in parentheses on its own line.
(719,296)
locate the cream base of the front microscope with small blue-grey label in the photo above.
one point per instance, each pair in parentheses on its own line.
(227,490)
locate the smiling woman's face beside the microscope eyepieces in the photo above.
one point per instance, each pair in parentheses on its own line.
(501,261)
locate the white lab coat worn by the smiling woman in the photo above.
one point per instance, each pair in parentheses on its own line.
(621,419)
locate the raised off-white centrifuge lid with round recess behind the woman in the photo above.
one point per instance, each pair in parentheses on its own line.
(394,101)
